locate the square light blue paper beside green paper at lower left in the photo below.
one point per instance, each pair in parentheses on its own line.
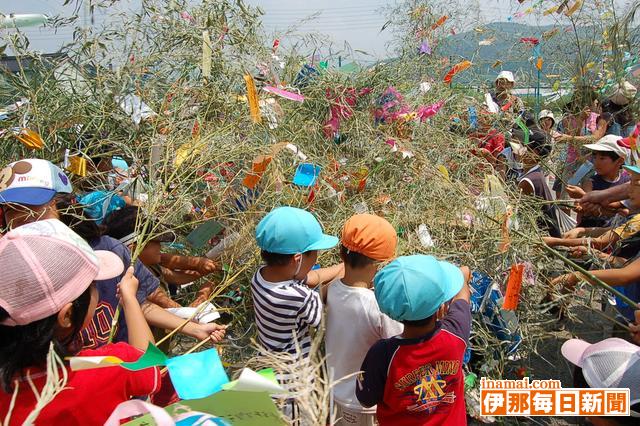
(197,375)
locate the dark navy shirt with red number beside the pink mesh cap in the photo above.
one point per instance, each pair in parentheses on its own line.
(96,334)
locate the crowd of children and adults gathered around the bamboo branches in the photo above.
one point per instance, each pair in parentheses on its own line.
(392,323)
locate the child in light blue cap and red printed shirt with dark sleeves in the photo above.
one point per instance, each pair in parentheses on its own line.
(417,377)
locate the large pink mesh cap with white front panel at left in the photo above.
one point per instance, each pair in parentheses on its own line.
(45,266)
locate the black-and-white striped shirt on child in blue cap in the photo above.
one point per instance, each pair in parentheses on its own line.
(284,312)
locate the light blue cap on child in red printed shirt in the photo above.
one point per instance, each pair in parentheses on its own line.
(413,288)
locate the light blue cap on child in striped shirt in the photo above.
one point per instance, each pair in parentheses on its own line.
(288,230)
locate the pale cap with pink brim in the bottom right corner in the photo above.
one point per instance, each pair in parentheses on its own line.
(611,363)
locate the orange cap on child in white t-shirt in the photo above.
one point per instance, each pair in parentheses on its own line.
(370,235)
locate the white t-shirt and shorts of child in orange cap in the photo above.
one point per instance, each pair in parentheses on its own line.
(354,323)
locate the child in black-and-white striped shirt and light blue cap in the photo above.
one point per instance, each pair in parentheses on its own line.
(285,308)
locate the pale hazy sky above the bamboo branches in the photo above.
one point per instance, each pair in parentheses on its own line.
(356,22)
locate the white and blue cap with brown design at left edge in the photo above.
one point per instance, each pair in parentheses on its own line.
(32,182)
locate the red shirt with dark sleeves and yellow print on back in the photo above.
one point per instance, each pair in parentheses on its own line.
(419,381)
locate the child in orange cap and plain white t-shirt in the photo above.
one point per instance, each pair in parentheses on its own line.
(367,241)
